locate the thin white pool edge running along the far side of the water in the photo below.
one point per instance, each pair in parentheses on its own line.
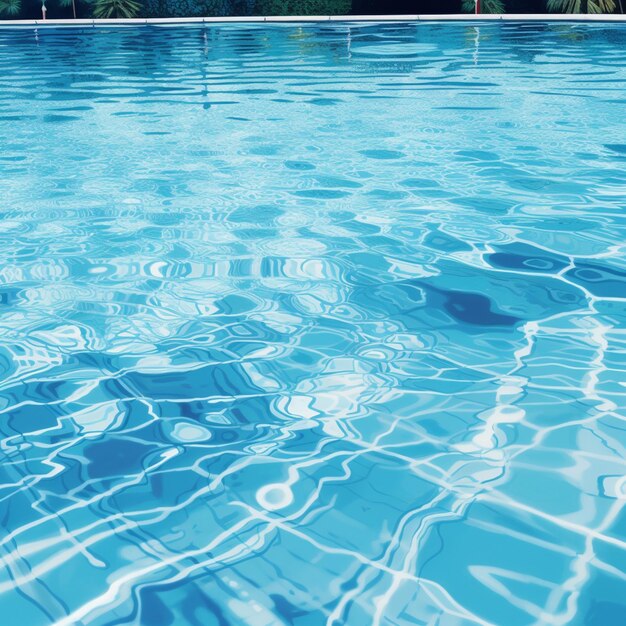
(459,17)
